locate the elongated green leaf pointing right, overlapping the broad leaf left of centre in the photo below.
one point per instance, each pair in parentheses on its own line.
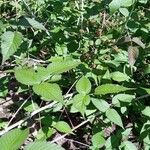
(60,67)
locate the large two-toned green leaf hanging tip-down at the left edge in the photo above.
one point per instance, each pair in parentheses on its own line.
(10,43)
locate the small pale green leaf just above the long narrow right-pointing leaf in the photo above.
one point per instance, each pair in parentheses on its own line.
(119,76)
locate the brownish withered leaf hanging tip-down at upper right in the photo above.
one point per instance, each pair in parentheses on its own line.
(133,54)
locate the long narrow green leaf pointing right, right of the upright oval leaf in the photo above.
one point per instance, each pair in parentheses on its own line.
(110,88)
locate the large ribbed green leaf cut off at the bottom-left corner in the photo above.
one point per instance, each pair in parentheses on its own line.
(13,139)
